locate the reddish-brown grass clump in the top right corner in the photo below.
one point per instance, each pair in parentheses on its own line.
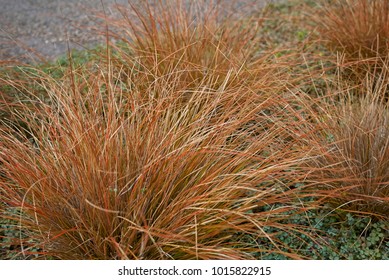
(360,28)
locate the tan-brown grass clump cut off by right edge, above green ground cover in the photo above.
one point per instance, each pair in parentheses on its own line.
(353,155)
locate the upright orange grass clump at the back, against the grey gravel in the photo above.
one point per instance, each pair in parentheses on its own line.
(198,38)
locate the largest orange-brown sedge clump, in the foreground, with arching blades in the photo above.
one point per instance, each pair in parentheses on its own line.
(102,174)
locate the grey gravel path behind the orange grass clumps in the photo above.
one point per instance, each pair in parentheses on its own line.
(31,29)
